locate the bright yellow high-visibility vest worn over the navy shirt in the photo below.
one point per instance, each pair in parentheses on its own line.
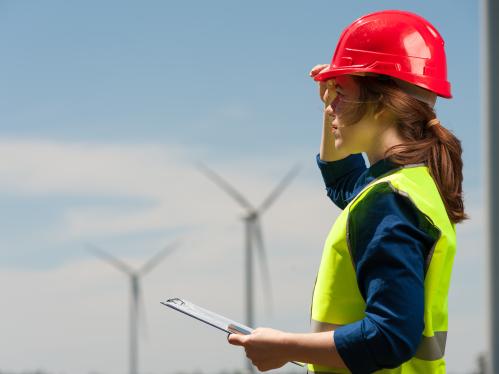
(337,300)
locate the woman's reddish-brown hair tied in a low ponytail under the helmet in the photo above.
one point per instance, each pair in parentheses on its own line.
(425,139)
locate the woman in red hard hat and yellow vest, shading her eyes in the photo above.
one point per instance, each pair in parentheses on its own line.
(380,299)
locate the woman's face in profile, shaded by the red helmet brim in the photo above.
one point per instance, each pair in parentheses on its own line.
(351,138)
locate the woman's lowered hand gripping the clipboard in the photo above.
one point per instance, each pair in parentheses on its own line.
(266,348)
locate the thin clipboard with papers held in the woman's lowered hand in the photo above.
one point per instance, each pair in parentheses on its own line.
(210,318)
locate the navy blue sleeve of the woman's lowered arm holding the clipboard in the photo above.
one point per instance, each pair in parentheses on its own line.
(390,240)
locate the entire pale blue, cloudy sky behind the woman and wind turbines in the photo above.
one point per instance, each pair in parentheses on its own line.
(107,107)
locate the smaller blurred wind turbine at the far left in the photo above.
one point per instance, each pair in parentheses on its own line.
(134,276)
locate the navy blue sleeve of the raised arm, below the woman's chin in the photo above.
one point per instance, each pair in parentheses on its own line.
(340,177)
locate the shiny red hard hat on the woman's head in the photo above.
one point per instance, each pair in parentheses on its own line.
(399,44)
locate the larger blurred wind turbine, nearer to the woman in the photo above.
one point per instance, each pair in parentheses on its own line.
(253,231)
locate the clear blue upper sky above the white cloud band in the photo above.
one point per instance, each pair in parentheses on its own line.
(121,71)
